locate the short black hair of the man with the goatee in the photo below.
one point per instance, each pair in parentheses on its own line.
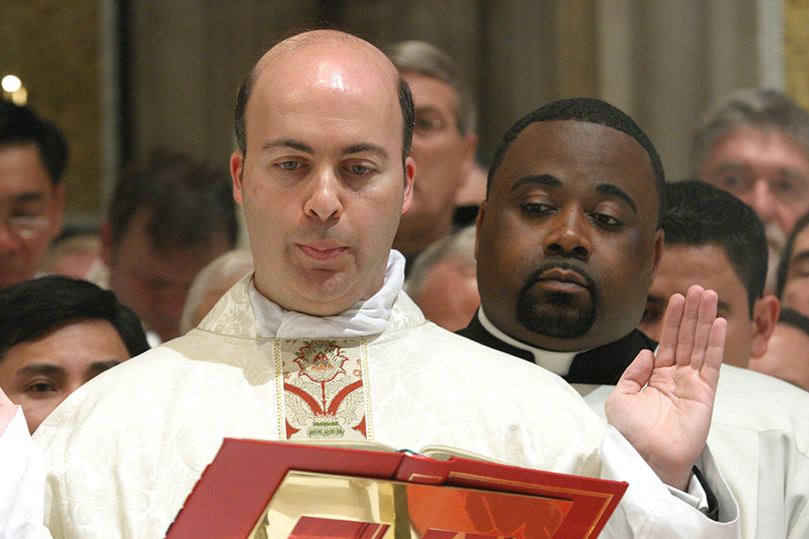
(581,109)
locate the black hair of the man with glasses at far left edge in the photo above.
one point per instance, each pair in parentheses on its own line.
(21,125)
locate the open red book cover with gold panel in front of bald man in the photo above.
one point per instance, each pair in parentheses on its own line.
(235,490)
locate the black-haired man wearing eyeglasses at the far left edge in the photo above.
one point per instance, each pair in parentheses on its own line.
(33,156)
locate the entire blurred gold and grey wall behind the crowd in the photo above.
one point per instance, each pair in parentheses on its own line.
(663,62)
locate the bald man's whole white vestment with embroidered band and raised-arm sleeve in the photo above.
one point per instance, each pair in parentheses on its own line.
(124,451)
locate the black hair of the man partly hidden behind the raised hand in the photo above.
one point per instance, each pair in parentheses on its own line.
(696,213)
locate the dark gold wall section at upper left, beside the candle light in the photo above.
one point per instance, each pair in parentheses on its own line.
(52,46)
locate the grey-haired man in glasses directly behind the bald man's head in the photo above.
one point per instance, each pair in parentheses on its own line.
(444,143)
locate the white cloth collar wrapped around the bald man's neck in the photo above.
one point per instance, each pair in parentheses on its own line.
(366,317)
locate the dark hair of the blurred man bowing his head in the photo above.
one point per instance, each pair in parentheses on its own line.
(187,203)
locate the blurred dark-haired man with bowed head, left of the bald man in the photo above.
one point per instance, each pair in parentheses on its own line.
(166,222)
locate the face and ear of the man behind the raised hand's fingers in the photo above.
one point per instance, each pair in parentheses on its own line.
(709,267)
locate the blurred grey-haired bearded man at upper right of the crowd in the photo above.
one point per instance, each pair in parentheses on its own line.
(755,145)
